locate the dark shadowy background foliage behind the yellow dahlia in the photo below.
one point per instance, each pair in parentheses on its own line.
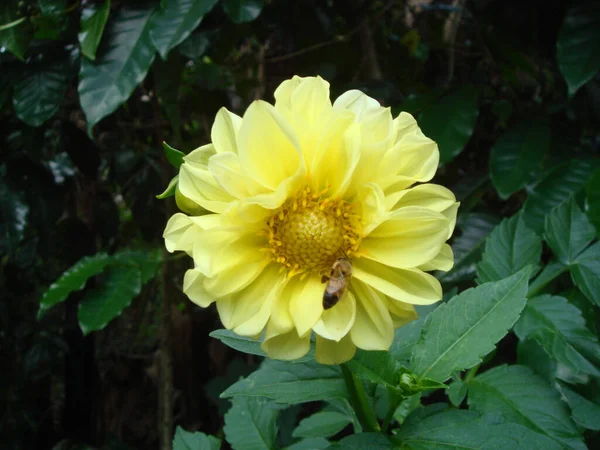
(509,89)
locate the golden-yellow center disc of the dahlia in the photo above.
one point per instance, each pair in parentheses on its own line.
(309,232)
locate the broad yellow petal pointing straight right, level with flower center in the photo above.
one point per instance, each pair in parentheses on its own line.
(410,237)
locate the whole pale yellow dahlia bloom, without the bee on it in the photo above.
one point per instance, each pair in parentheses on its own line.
(292,188)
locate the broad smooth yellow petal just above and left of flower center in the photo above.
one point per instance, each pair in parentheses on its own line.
(269,150)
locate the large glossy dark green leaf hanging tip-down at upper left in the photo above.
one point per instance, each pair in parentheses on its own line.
(109,81)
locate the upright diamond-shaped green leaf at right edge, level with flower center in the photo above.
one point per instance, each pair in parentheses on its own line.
(568,231)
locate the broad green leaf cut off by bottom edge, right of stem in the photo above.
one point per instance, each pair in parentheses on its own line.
(461,429)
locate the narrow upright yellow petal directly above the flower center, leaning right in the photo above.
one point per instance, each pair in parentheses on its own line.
(337,155)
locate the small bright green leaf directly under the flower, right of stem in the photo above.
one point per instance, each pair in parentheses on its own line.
(373,366)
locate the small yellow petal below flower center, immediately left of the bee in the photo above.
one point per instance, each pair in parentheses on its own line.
(306,302)
